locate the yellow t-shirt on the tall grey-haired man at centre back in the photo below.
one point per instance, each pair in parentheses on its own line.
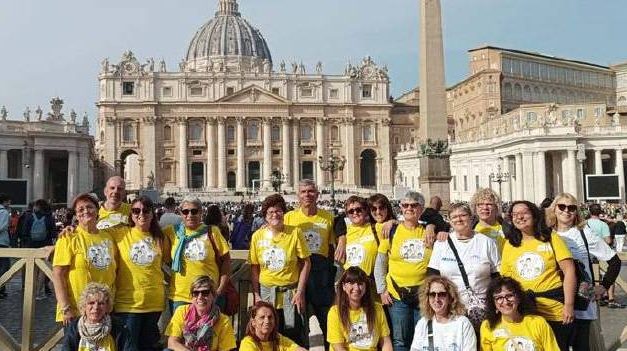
(317,229)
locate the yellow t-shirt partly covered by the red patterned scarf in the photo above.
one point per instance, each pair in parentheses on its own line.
(223,334)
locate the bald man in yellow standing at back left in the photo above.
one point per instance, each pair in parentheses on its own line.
(113,211)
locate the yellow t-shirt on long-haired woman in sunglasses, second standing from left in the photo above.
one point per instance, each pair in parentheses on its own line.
(139,282)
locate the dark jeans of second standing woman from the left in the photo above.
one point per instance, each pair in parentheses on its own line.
(142,329)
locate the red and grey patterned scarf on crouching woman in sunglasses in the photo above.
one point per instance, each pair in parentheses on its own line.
(198,329)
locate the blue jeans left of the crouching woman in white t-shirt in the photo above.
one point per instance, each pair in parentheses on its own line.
(404,319)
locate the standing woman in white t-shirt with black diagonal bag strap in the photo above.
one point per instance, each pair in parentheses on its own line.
(478,255)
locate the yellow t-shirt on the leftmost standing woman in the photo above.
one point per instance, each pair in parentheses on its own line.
(90,258)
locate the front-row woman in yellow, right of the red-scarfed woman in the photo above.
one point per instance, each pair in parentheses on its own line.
(262,332)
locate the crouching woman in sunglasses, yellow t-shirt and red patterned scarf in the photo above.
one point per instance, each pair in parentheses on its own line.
(200,326)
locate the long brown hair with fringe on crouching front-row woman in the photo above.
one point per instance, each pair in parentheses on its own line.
(355,275)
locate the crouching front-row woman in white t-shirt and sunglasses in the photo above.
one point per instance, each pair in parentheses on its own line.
(443,313)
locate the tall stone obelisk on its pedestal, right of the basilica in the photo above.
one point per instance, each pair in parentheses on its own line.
(435,173)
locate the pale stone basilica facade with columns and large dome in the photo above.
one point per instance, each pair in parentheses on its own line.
(229,117)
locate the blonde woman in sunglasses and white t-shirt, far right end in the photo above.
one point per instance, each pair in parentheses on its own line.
(563,216)
